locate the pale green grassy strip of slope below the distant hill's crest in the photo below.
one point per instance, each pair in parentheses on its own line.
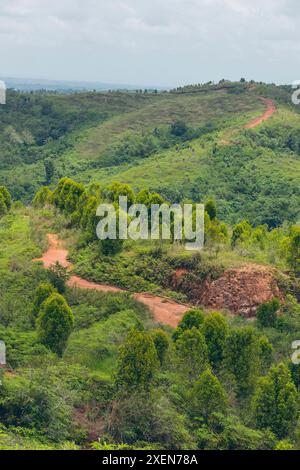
(165,109)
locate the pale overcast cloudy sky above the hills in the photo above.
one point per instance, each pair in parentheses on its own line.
(150,42)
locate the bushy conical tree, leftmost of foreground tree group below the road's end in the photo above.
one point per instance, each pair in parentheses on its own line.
(137,362)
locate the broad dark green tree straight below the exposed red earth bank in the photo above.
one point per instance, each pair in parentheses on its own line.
(242,358)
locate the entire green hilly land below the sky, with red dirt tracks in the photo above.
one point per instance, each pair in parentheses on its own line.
(124,344)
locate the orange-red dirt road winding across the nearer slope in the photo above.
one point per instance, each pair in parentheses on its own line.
(164,310)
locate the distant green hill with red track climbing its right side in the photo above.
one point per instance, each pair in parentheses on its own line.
(189,143)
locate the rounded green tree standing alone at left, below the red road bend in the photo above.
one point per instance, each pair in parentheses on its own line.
(55,323)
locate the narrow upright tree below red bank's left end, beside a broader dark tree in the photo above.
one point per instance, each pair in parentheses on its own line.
(215,330)
